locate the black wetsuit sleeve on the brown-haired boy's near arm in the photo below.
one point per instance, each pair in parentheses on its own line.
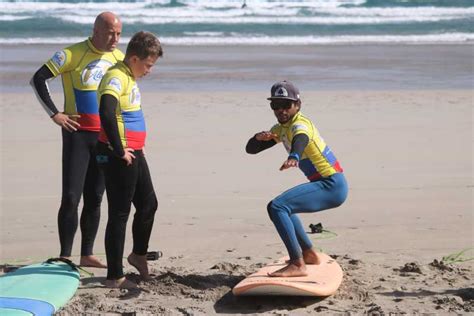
(108,120)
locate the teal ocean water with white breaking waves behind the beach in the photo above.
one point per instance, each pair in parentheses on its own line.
(250,22)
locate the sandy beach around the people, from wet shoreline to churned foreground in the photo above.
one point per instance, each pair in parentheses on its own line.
(406,150)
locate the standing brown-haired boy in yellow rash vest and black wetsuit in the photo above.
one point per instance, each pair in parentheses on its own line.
(121,142)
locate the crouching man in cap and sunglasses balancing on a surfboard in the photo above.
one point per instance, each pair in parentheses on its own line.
(308,151)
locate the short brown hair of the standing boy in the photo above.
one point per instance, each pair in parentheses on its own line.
(144,44)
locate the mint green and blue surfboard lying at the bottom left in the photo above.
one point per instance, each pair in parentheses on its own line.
(38,289)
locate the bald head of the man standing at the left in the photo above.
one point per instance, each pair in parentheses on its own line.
(107,31)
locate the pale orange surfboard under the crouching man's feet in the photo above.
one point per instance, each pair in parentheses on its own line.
(322,280)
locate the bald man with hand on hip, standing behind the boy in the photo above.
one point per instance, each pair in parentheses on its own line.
(81,67)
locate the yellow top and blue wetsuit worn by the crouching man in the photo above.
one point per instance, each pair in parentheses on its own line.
(327,187)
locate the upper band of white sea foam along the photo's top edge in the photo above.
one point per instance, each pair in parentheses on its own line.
(201,10)
